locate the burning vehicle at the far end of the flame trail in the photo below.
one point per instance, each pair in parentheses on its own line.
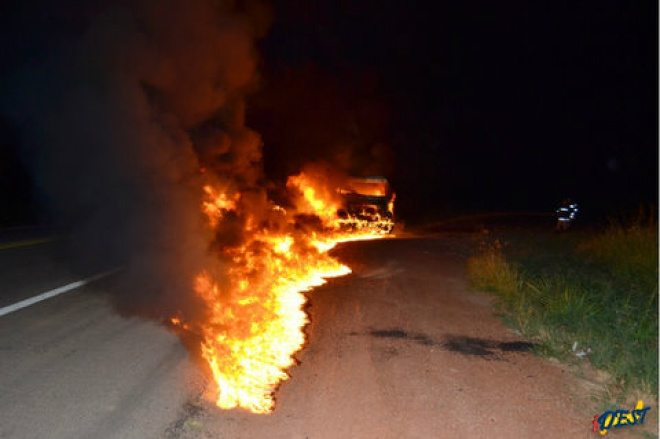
(367,203)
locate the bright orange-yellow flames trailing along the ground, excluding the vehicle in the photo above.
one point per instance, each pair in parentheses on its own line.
(255,303)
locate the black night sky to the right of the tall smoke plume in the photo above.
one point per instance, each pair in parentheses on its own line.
(465,106)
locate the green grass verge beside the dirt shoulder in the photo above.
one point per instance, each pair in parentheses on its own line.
(599,289)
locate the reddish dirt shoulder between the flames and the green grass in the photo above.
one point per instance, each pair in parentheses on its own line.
(402,349)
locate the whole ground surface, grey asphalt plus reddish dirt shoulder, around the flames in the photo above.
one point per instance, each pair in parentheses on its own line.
(398,349)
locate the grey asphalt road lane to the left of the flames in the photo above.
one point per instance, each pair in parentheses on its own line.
(73,368)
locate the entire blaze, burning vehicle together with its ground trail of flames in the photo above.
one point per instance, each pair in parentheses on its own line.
(254,299)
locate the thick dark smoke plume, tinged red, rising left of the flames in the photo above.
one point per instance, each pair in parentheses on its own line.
(125,110)
